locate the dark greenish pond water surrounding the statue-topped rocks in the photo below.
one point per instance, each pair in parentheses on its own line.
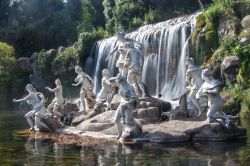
(16,150)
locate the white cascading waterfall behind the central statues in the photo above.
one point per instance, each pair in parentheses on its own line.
(165,49)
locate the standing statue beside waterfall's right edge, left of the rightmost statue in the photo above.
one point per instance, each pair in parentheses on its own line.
(194,81)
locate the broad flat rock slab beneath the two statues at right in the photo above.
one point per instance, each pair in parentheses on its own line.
(177,131)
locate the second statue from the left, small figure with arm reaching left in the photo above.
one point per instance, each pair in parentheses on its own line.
(58,101)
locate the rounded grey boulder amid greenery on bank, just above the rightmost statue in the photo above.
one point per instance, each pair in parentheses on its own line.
(229,69)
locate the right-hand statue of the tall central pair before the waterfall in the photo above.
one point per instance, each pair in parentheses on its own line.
(134,62)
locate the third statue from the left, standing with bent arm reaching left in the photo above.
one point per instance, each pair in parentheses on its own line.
(87,96)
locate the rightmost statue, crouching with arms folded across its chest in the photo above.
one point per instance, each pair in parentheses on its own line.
(211,88)
